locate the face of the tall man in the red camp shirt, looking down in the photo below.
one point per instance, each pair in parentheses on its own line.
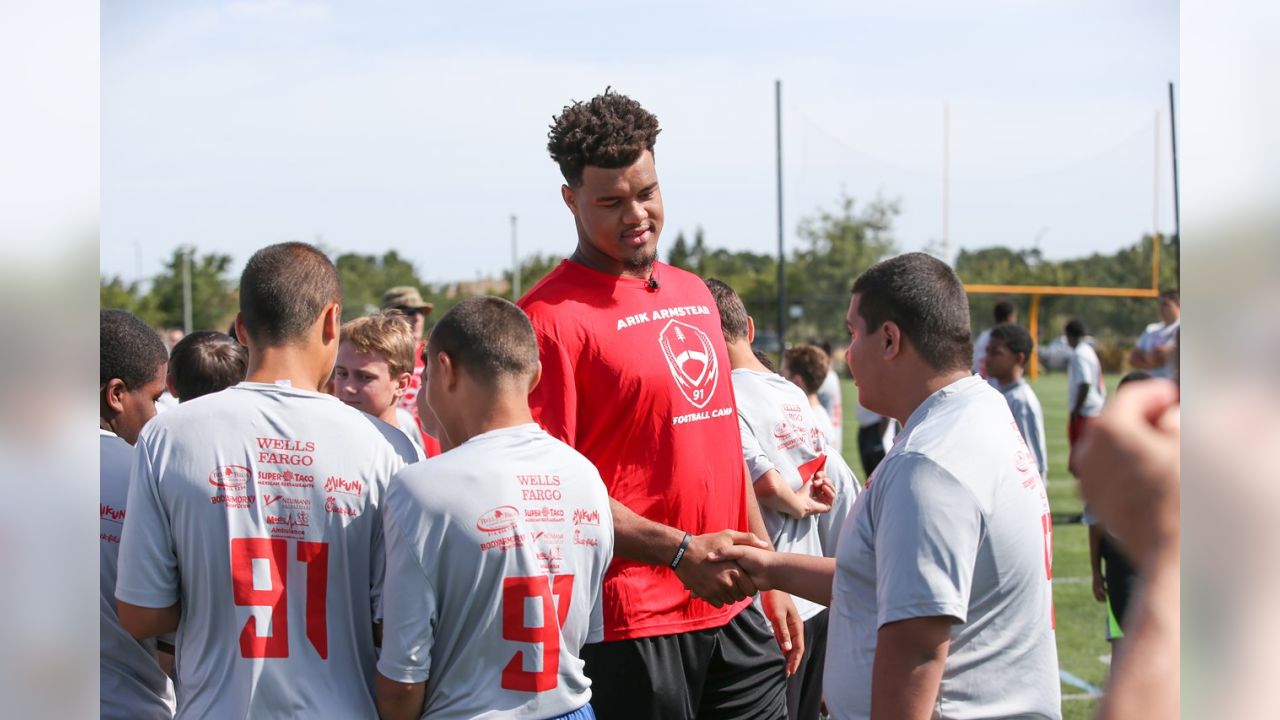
(619,216)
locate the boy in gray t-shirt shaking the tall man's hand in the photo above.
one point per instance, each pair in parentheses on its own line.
(941,587)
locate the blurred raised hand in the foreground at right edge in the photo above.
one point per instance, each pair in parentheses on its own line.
(1131,470)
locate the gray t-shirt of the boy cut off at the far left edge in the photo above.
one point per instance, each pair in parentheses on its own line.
(131,682)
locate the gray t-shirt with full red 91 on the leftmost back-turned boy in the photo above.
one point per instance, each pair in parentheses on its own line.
(260,509)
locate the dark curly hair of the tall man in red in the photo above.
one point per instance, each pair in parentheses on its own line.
(609,131)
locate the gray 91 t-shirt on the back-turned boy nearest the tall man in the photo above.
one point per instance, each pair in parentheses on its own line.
(496,559)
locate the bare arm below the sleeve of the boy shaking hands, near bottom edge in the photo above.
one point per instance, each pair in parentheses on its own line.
(908,669)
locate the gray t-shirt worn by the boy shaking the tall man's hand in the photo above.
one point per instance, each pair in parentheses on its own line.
(953,523)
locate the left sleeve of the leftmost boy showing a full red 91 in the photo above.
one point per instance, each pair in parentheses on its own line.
(148,575)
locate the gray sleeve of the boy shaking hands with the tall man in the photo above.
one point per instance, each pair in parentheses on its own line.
(929,528)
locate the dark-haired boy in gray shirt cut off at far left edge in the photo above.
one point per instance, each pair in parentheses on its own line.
(131,379)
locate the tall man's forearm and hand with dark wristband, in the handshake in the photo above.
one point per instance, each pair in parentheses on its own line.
(642,540)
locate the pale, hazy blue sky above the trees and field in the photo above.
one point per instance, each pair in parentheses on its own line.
(422,127)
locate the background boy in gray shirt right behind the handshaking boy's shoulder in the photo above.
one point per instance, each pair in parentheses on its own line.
(1009,347)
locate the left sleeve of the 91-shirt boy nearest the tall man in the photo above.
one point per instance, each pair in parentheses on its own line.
(409,604)
